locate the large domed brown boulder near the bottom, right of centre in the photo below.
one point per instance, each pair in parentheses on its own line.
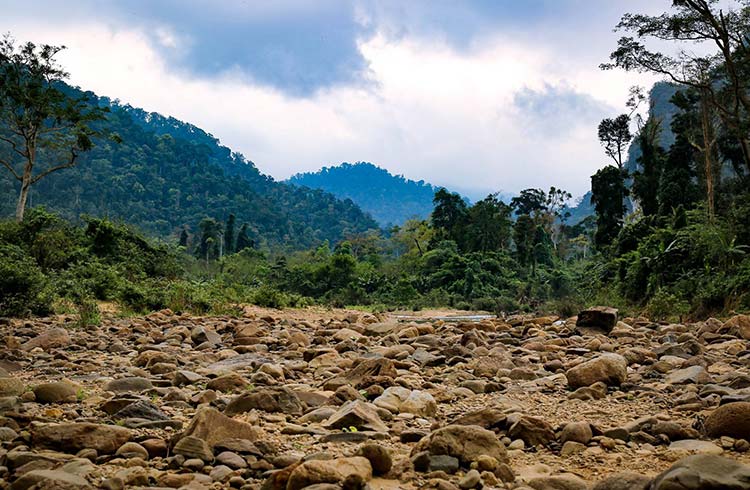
(465,442)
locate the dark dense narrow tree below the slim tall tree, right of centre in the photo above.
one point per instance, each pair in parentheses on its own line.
(607,194)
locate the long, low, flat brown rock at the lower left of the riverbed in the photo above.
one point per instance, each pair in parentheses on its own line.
(73,437)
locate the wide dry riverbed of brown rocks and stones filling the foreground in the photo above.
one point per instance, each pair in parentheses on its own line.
(329,399)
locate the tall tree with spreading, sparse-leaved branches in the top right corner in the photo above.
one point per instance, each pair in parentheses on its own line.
(721,76)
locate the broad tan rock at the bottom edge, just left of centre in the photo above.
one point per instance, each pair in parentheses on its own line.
(334,471)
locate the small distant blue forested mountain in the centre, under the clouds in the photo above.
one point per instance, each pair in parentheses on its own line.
(390,199)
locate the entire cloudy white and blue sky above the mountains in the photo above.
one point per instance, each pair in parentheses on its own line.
(487,95)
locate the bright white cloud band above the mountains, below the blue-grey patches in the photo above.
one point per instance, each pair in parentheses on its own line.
(430,113)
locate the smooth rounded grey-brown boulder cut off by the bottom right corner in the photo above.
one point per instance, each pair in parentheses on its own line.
(704,472)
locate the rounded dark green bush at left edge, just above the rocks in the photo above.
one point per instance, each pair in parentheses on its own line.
(24,289)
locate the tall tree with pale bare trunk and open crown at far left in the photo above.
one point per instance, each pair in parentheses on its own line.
(42,130)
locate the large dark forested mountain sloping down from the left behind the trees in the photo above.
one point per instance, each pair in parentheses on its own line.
(167,174)
